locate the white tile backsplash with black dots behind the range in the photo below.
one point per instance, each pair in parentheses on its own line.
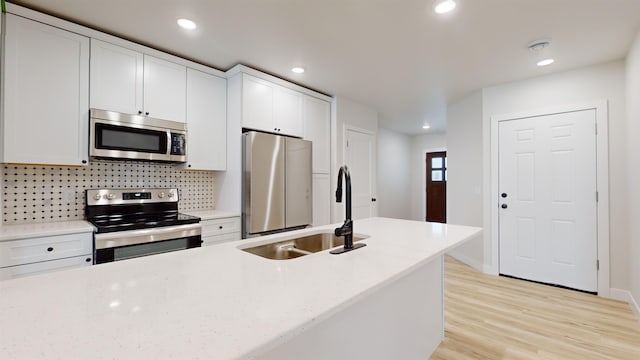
(56,193)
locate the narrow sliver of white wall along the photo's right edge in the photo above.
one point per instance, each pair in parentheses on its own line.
(633,149)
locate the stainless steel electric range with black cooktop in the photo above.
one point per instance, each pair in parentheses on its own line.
(138,222)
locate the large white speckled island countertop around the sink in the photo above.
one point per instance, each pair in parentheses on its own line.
(215,302)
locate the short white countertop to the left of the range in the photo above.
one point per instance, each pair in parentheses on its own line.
(27,231)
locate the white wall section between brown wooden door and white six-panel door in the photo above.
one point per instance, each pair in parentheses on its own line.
(465,167)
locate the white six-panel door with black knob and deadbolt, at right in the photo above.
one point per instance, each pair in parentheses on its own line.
(548,214)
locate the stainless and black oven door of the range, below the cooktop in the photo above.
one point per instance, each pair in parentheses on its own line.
(121,245)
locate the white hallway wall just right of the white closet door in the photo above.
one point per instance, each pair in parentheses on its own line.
(394,174)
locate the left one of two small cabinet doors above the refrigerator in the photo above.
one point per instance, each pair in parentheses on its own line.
(257,104)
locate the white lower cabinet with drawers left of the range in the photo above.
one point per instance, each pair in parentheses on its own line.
(42,254)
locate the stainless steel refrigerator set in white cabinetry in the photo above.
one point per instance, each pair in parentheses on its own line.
(276,183)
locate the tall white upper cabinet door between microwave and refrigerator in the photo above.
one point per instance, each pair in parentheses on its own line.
(206,121)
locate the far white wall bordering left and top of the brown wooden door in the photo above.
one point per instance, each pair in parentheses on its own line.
(420,145)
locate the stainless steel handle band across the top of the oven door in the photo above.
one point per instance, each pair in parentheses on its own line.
(141,236)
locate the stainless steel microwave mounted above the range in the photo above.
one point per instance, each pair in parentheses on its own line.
(122,136)
